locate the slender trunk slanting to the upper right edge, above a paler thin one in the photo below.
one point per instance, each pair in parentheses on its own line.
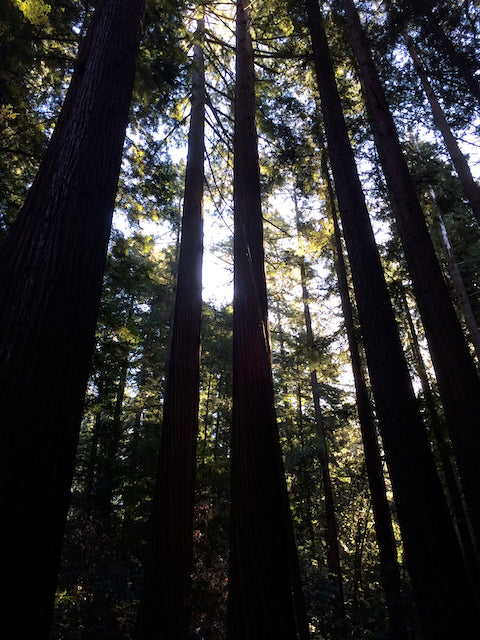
(470,187)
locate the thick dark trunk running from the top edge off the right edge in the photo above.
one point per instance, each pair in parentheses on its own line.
(456,374)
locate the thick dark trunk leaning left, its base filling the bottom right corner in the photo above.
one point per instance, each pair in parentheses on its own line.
(441,589)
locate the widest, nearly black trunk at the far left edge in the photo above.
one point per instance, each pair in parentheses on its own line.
(52,267)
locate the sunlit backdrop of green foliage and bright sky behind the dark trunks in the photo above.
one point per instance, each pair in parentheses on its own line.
(322,442)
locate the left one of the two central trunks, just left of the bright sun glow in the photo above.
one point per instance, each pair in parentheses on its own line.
(165,601)
